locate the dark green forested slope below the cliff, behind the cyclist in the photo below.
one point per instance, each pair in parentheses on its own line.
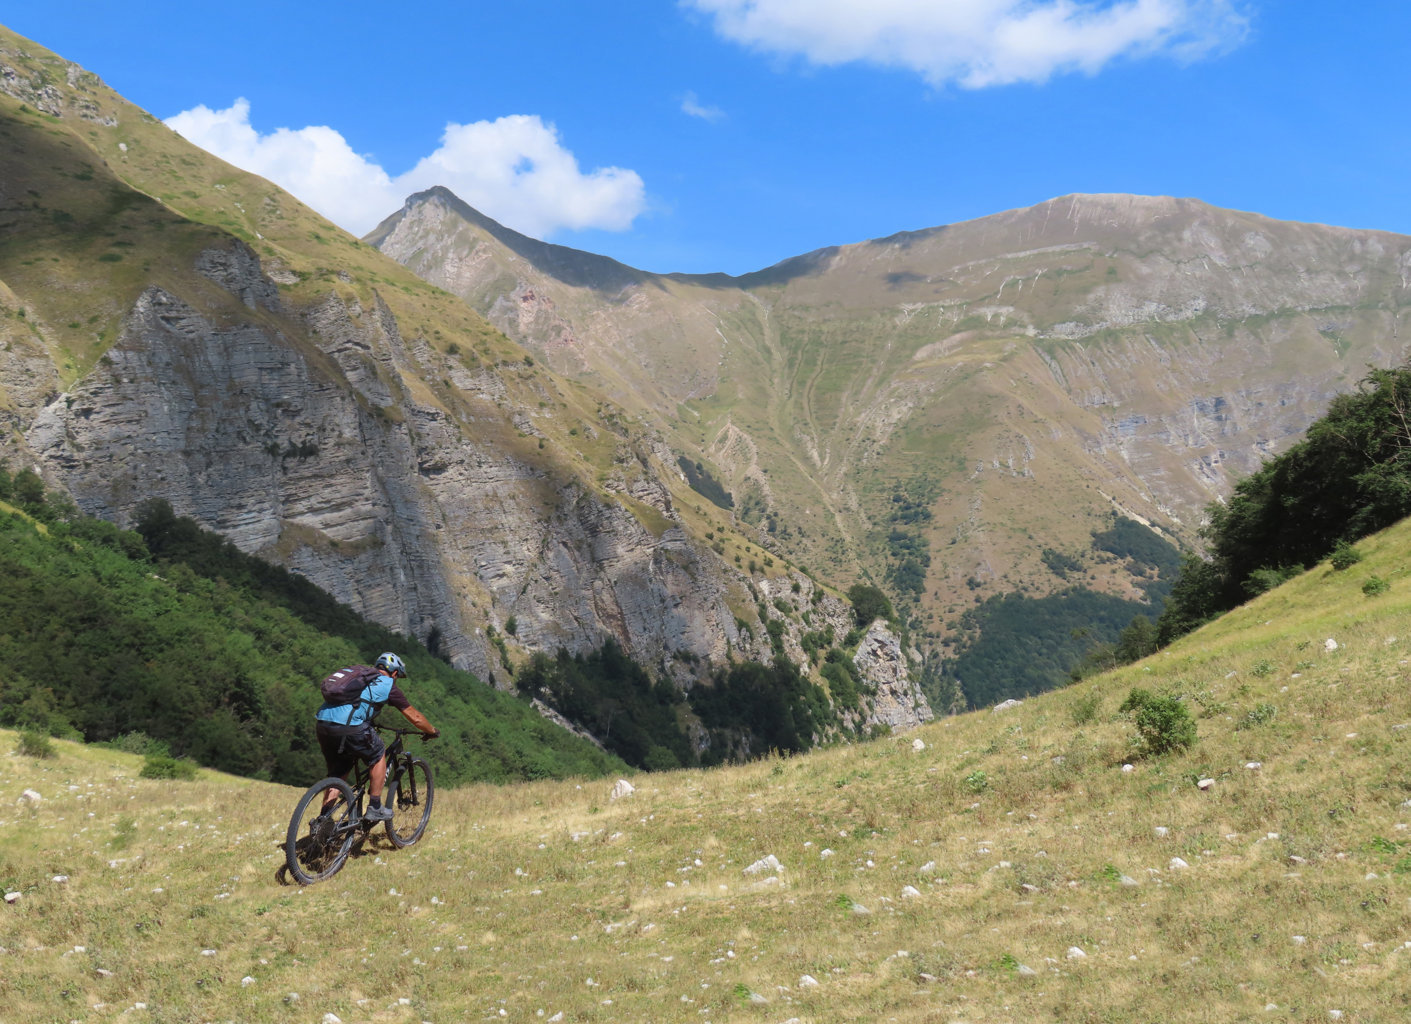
(104,642)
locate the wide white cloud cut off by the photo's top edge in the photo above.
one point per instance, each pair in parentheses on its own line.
(980,43)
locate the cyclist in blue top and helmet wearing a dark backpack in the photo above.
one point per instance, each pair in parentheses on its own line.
(346,734)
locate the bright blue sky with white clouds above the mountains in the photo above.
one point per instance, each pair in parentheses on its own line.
(729,135)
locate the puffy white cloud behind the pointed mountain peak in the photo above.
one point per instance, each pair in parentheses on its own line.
(514,170)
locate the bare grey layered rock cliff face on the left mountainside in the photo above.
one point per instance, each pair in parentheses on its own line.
(328,462)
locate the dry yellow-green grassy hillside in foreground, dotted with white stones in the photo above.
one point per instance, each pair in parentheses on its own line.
(1007,868)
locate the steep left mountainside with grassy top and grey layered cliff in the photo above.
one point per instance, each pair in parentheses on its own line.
(180,329)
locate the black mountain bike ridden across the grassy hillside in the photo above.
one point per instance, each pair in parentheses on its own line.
(324,830)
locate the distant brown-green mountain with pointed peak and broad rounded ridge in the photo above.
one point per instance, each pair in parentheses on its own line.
(1017,379)
